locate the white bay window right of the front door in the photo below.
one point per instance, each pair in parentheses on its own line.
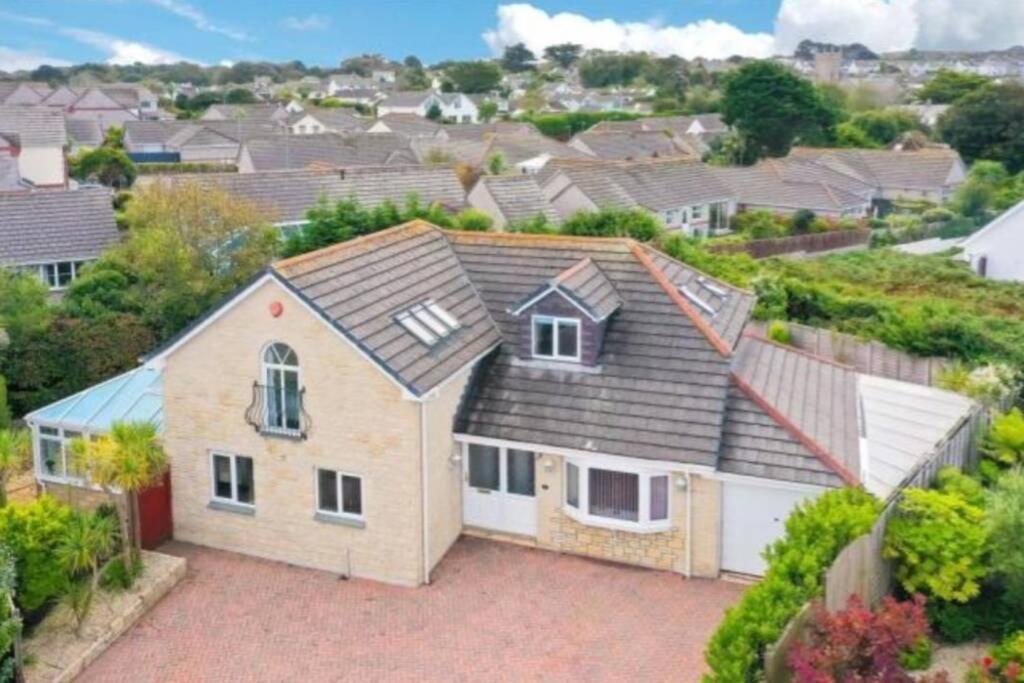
(616,497)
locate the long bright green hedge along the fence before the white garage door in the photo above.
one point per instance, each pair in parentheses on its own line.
(816,533)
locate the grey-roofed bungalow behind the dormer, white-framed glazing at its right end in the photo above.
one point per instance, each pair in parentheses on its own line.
(687,196)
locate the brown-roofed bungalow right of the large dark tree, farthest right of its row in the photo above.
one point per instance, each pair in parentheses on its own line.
(932,175)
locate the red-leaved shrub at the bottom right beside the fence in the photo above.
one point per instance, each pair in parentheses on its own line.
(860,646)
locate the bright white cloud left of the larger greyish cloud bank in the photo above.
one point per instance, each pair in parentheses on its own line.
(538,29)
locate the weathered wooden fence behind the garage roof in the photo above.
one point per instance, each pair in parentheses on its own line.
(870,358)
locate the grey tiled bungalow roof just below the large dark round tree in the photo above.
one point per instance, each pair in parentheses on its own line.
(788,186)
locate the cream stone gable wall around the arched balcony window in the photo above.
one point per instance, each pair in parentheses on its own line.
(361,425)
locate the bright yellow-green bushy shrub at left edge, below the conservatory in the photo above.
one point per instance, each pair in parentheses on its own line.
(33,532)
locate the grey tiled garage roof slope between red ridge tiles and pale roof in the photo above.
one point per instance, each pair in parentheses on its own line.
(815,399)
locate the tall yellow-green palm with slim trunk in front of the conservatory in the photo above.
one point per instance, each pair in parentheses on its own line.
(124,462)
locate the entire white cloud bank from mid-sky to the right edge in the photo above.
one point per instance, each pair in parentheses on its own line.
(882,25)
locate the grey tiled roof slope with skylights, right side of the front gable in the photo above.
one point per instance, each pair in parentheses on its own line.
(361,286)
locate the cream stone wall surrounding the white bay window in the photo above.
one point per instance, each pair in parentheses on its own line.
(664,550)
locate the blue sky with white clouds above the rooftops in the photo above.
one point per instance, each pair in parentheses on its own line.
(323,32)
